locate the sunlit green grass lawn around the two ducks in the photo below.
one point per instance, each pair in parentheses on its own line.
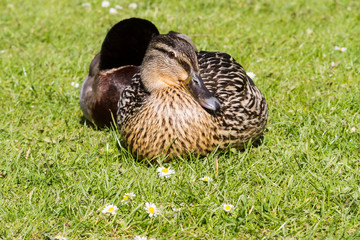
(303,182)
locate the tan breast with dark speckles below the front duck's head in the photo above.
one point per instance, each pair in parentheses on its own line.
(169,127)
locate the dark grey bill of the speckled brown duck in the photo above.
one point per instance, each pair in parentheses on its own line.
(198,90)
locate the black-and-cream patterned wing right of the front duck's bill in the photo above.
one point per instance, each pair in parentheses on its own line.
(243,108)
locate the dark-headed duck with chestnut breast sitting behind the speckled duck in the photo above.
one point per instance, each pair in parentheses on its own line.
(112,68)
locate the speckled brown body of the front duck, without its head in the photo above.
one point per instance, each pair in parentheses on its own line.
(170,121)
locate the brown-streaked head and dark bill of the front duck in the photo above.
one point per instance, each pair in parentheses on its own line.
(171,60)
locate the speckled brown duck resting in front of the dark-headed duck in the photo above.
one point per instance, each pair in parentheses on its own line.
(180,100)
